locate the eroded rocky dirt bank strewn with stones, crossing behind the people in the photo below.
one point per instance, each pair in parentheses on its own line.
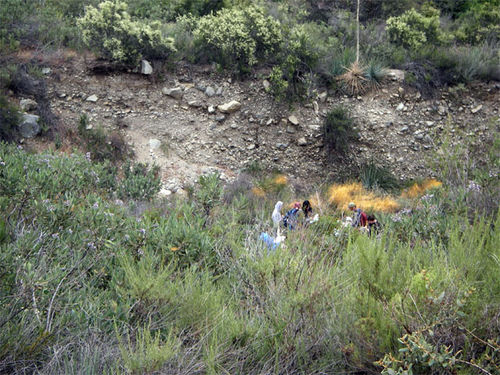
(197,121)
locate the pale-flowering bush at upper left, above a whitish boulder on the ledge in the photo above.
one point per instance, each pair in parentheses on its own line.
(111,32)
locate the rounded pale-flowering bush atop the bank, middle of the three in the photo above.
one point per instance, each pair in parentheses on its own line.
(238,37)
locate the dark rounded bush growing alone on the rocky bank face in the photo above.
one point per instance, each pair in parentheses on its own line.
(338,130)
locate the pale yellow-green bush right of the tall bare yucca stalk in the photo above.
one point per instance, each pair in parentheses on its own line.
(413,29)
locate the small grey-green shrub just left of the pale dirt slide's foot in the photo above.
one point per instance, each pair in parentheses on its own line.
(139,182)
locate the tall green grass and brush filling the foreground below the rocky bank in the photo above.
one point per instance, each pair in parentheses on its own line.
(88,286)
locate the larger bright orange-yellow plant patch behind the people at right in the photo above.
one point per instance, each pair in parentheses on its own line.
(342,194)
